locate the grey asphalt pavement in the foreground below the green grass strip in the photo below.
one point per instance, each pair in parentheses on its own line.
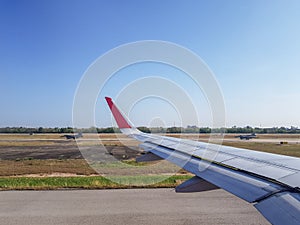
(126,206)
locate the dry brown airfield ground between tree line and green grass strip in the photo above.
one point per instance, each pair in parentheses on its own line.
(53,155)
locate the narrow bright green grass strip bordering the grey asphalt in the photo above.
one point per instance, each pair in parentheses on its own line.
(96,182)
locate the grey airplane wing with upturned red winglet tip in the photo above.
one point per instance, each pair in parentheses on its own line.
(270,181)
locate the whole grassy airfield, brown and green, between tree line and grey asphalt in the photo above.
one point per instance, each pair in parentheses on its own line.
(49,161)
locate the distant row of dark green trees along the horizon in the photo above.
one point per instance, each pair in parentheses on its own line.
(188,129)
